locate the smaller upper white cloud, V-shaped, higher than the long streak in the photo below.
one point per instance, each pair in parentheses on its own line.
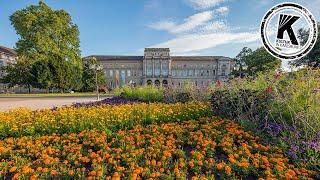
(190,23)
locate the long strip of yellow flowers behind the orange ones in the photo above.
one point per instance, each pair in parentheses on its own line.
(22,122)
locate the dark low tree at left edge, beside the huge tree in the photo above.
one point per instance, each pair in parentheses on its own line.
(17,74)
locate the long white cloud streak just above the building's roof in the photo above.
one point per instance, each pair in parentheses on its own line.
(196,42)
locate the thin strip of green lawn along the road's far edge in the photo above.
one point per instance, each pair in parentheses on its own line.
(54,95)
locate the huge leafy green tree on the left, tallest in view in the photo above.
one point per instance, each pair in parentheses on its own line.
(50,36)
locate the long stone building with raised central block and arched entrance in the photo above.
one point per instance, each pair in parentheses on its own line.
(158,68)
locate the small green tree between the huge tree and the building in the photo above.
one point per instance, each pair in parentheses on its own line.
(88,77)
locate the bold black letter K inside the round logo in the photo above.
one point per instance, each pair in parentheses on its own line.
(285,24)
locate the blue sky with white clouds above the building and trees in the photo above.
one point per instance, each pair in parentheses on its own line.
(188,27)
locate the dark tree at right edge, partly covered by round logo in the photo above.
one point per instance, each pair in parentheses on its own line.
(313,58)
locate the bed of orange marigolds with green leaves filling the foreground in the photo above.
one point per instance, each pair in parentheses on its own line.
(205,149)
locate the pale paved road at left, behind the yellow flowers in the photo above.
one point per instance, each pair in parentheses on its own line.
(35,103)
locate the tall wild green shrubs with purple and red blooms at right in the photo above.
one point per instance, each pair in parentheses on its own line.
(285,108)
